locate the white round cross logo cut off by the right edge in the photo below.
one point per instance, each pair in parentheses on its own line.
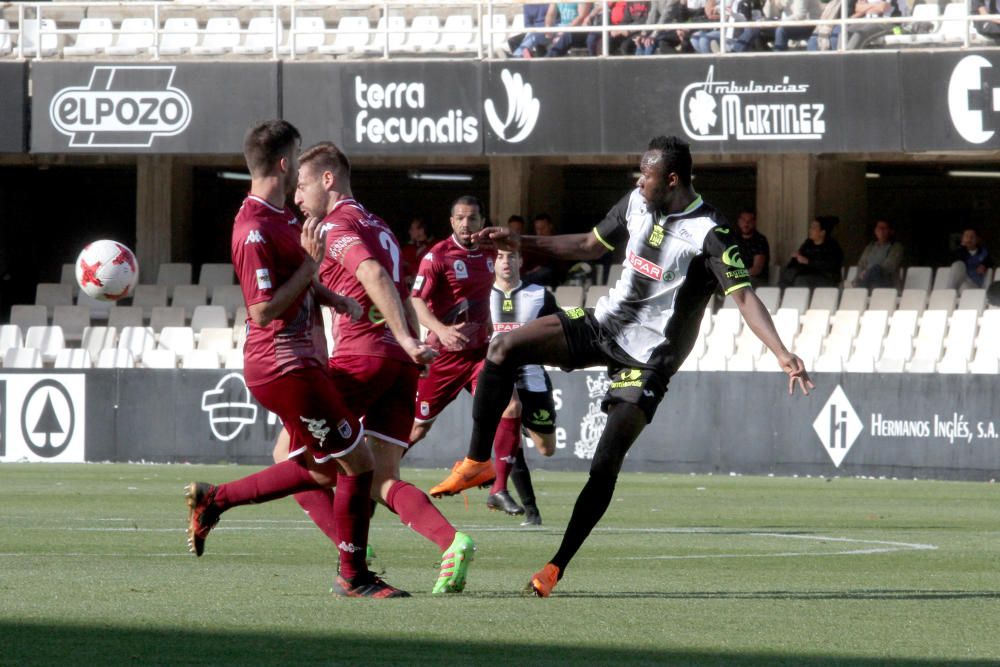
(973,103)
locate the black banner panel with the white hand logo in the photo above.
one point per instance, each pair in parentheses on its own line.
(544,106)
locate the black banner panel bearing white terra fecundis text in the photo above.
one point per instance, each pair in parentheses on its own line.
(390,108)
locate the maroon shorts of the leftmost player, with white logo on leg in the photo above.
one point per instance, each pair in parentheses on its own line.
(309,405)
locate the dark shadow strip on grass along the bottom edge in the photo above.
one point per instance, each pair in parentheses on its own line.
(37,644)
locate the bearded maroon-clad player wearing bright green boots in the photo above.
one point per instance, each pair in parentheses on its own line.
(375,358)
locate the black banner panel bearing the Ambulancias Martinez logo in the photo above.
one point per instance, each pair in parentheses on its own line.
(740,104)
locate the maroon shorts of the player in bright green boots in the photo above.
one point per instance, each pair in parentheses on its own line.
(380,391)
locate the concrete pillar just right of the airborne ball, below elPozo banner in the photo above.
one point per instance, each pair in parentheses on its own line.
(163,203)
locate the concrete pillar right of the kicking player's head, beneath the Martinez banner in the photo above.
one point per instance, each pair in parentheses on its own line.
(785,201)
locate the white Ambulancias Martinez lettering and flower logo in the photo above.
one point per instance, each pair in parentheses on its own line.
(751,111)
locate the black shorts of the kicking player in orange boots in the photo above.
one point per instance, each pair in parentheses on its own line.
(632,381)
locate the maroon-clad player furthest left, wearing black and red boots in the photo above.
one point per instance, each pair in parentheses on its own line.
(276,261)
